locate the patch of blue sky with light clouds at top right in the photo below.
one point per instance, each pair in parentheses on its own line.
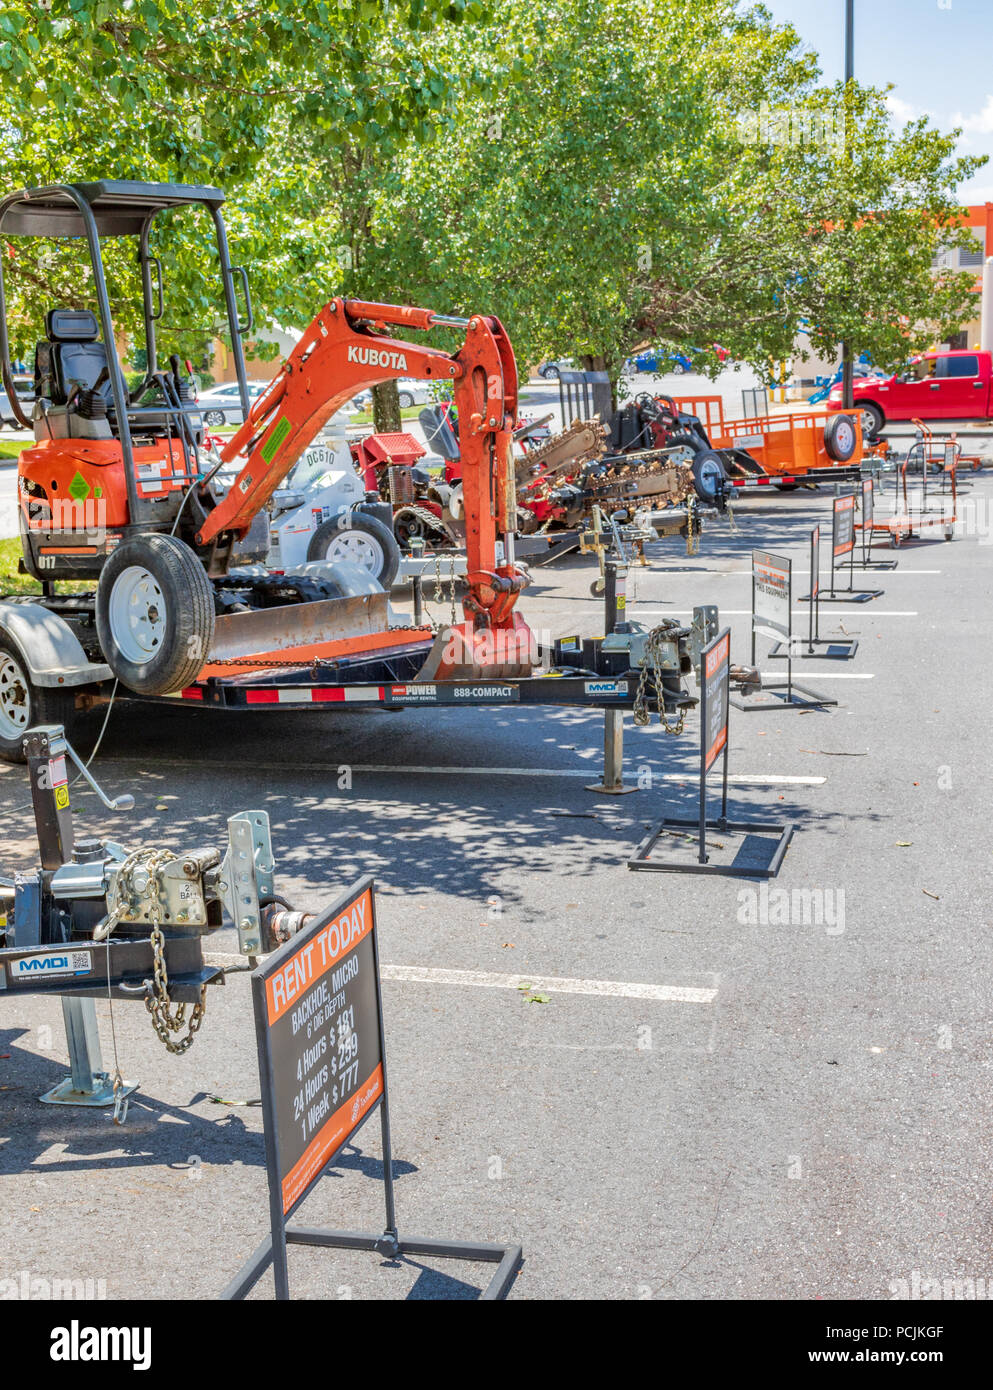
(937,54)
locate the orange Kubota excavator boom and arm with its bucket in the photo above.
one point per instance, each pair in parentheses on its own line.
(346,351)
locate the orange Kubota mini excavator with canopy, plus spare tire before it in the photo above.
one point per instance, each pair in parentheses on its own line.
(124,487)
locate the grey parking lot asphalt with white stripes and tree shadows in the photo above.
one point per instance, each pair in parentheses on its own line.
(809,1121)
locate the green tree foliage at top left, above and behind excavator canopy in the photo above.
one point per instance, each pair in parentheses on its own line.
(208,92)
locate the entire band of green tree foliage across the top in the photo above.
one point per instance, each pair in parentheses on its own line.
(597,176)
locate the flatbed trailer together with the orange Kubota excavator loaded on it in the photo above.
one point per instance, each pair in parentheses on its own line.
(120,489)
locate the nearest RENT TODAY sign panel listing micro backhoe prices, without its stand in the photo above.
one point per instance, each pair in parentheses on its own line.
(319,1025)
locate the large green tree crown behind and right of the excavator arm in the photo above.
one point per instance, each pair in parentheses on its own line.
(627,186)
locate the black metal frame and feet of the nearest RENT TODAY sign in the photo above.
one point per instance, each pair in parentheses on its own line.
(273,1250)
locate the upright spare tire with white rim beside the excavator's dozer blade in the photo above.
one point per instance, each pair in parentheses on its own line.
(155,615)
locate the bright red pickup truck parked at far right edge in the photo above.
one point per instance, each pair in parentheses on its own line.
(939,386)
